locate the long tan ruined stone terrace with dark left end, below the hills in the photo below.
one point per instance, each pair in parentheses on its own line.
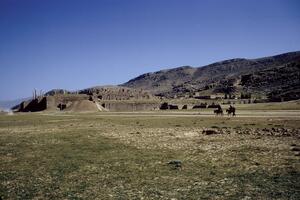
(92,99)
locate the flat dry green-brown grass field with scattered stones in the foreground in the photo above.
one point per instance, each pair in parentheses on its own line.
(255,155)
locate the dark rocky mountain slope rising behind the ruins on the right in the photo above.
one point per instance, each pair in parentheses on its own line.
(228,77)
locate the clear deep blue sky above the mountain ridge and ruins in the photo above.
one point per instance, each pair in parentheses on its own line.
(74,44)
